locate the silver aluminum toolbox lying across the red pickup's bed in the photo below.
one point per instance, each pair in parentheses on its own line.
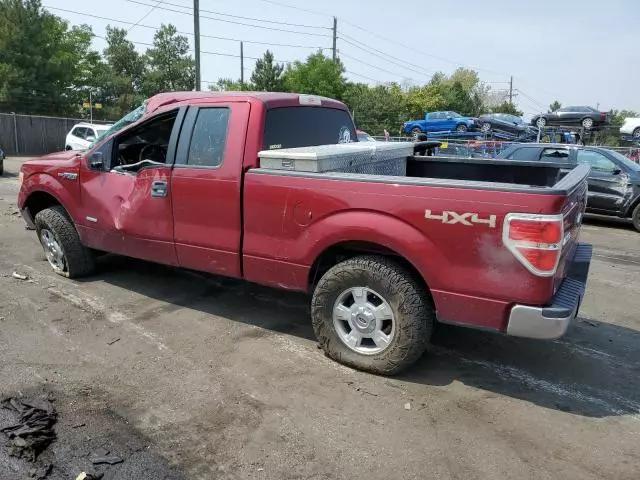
(358,157)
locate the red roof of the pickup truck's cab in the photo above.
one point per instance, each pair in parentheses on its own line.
(269,99)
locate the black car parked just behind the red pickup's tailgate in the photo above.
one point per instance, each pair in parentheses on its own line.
(614,180)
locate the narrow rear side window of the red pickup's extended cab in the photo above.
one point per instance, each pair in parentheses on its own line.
(209,137)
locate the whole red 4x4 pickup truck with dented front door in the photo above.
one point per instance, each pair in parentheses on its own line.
(487,244)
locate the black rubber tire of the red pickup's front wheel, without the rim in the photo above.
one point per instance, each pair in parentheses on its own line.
(78,259)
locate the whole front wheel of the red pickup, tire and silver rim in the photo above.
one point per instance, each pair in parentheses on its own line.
(61,243)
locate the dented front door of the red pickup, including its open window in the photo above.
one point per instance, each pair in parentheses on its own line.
(126,199)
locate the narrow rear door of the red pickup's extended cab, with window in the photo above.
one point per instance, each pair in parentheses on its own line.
(207,185)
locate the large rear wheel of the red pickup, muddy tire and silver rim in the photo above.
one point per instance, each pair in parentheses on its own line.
(370,313)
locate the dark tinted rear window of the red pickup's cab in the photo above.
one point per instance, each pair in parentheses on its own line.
(290,127)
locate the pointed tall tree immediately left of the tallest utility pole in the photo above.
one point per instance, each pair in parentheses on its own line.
(169,67)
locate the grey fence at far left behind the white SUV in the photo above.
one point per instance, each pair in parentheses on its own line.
(34,135)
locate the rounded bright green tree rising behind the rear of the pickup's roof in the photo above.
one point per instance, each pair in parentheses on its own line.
(319,75)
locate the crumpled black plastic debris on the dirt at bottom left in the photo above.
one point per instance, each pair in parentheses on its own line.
(34,431)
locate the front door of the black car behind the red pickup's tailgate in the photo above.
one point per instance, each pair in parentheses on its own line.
(607,183)
